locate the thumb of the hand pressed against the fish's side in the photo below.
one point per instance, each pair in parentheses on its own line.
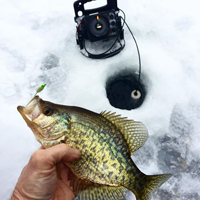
(62,152)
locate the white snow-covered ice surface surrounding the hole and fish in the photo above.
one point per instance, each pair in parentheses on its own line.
(37,45)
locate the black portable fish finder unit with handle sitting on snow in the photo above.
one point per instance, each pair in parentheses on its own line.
(99,24)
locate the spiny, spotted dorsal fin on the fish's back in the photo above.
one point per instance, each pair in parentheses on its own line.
(135,133)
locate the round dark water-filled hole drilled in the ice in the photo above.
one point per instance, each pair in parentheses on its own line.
(124,92)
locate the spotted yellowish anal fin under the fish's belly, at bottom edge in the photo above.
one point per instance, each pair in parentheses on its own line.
(102,193)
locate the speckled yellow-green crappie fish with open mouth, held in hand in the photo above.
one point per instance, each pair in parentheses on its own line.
(106,141)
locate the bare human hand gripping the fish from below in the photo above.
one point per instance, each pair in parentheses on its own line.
(39,181)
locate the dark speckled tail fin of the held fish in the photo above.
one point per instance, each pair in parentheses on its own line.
(148,185)
